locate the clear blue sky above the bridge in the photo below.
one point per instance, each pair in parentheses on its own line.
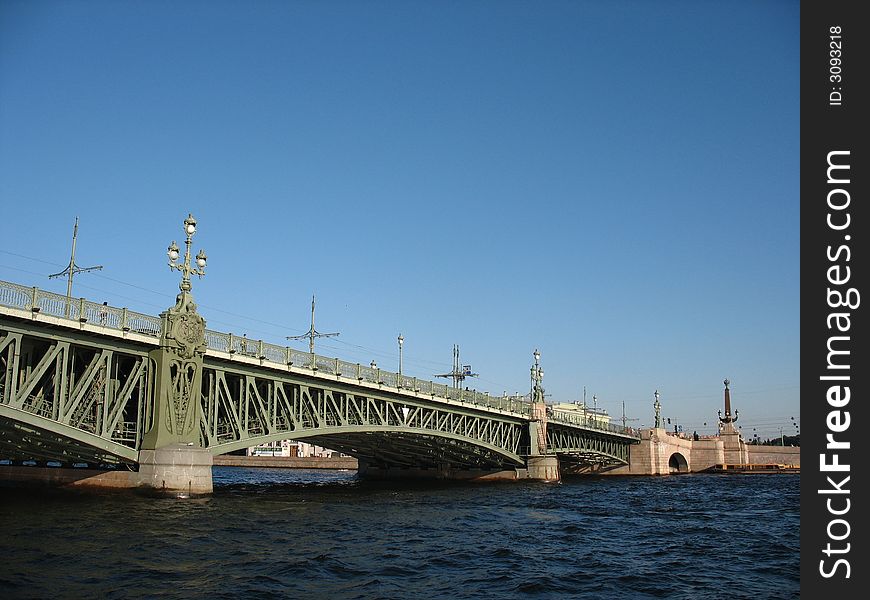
(613,183)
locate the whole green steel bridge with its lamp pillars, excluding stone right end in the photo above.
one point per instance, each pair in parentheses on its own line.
(155,397)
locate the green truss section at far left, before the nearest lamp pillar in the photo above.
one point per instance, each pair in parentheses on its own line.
(58,385)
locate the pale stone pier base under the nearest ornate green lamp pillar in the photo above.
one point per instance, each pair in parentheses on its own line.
(176,470)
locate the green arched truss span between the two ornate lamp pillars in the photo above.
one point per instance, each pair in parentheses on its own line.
(241,409)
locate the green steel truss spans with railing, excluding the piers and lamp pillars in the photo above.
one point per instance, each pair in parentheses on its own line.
(77,385)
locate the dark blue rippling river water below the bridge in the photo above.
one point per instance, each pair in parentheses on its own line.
(324,534)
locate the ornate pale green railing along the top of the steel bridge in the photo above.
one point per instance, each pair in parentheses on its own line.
(80,310)
